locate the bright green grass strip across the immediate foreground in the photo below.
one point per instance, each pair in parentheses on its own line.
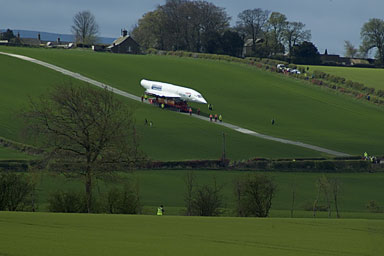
(82,234)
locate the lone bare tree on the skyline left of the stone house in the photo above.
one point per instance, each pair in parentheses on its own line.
(85,28)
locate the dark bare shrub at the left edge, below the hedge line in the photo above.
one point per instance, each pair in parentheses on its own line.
(15,192)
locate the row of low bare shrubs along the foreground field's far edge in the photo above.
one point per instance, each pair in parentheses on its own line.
(253,194)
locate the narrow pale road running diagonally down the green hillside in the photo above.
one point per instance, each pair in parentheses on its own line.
(133,97)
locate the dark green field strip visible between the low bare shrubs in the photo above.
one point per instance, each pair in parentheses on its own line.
(168,188)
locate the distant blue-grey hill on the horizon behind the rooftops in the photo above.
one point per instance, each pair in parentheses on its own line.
(46,36)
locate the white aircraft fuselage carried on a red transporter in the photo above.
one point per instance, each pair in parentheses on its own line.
(166,90)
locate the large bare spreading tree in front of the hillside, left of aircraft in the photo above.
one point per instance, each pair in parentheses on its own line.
(87,131)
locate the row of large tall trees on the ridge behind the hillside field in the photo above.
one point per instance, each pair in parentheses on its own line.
(200,26)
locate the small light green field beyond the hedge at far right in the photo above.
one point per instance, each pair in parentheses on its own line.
(370,77)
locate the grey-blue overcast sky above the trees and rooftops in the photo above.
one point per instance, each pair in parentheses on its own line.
(330,21)
